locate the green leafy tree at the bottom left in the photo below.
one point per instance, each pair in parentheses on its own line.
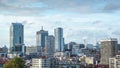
(15,63)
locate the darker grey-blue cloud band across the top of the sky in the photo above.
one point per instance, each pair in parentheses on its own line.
(41,7)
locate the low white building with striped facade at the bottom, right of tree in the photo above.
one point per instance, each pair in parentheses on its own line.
(40,63)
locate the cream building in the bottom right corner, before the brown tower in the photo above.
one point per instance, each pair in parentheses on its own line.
(114,62)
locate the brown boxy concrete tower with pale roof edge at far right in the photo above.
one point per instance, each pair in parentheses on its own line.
(108,50)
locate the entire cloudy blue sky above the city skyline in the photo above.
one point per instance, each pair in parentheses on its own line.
(92,20)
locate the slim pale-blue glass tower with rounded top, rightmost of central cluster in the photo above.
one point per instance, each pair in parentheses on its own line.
(59,40)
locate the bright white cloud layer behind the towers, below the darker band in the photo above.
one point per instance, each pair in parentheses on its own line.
(76,26)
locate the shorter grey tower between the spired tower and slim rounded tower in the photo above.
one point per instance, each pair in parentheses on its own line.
(50,45)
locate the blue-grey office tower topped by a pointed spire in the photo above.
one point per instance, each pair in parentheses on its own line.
(40,37)
